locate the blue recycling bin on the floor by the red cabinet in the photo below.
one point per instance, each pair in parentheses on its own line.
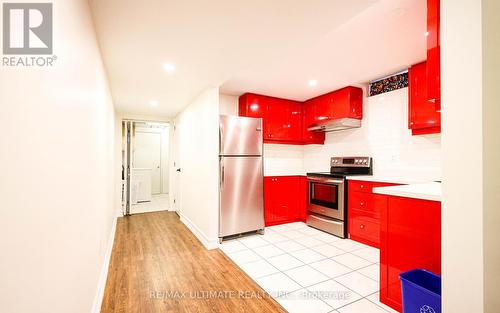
(421,291)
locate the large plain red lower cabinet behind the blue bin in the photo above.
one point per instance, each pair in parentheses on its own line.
(410,237)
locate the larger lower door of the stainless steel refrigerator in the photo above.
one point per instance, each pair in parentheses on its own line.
(241,195)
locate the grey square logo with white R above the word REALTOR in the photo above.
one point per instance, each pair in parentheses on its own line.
(27,28)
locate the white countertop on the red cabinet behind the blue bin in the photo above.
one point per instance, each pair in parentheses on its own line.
(425,191)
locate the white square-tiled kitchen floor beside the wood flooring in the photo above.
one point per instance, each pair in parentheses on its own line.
(307,270)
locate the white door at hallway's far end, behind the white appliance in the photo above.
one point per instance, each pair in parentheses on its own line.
(147,155)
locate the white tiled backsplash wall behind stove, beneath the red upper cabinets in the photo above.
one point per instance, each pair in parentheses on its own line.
(385,136)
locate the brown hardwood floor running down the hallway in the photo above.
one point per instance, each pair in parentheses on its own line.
(158,265)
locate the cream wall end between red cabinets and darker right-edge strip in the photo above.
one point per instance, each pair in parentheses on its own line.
(462,203)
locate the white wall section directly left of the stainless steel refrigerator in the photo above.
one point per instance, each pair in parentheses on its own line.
(197,128)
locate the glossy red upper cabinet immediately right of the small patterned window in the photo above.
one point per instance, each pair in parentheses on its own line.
(423,117)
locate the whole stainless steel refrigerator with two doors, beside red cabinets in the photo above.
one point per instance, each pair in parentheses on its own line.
(241,201)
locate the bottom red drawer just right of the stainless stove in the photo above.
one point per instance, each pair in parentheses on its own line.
(364,228)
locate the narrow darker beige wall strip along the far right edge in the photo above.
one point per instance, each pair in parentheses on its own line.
(491,153)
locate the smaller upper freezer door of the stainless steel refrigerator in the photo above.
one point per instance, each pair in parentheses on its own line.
(240,135)
